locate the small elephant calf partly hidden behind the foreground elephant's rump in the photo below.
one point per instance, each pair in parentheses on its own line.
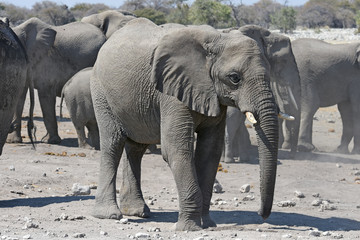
(77,95)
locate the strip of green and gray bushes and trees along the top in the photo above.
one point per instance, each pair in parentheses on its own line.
(217,13)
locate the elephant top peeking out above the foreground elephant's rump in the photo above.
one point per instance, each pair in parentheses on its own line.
(108,21)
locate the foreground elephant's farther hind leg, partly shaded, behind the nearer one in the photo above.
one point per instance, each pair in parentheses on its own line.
(131,199)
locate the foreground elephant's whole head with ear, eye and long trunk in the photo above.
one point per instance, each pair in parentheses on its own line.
(207,70)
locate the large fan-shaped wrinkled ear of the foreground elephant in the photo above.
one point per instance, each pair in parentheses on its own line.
(181,68)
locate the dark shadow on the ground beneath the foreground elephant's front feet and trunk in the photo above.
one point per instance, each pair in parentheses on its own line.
(280,220)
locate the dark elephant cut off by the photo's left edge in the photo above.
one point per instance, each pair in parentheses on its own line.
(12,77)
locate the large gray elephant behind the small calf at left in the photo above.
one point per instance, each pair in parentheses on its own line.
(55,54)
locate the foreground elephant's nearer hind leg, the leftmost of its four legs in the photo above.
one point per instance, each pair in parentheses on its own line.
(112,146)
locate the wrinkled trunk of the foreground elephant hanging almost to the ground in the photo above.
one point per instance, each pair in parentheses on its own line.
(267,137)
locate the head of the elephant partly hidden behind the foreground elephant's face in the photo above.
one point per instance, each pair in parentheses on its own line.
(285,79)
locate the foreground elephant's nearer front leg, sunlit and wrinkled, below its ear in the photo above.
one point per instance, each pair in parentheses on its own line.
(177,146)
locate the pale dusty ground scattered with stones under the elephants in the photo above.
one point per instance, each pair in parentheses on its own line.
(37,201)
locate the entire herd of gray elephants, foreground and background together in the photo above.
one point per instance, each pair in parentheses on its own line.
(133,84)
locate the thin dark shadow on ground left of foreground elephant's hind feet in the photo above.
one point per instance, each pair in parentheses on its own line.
(42,201)
